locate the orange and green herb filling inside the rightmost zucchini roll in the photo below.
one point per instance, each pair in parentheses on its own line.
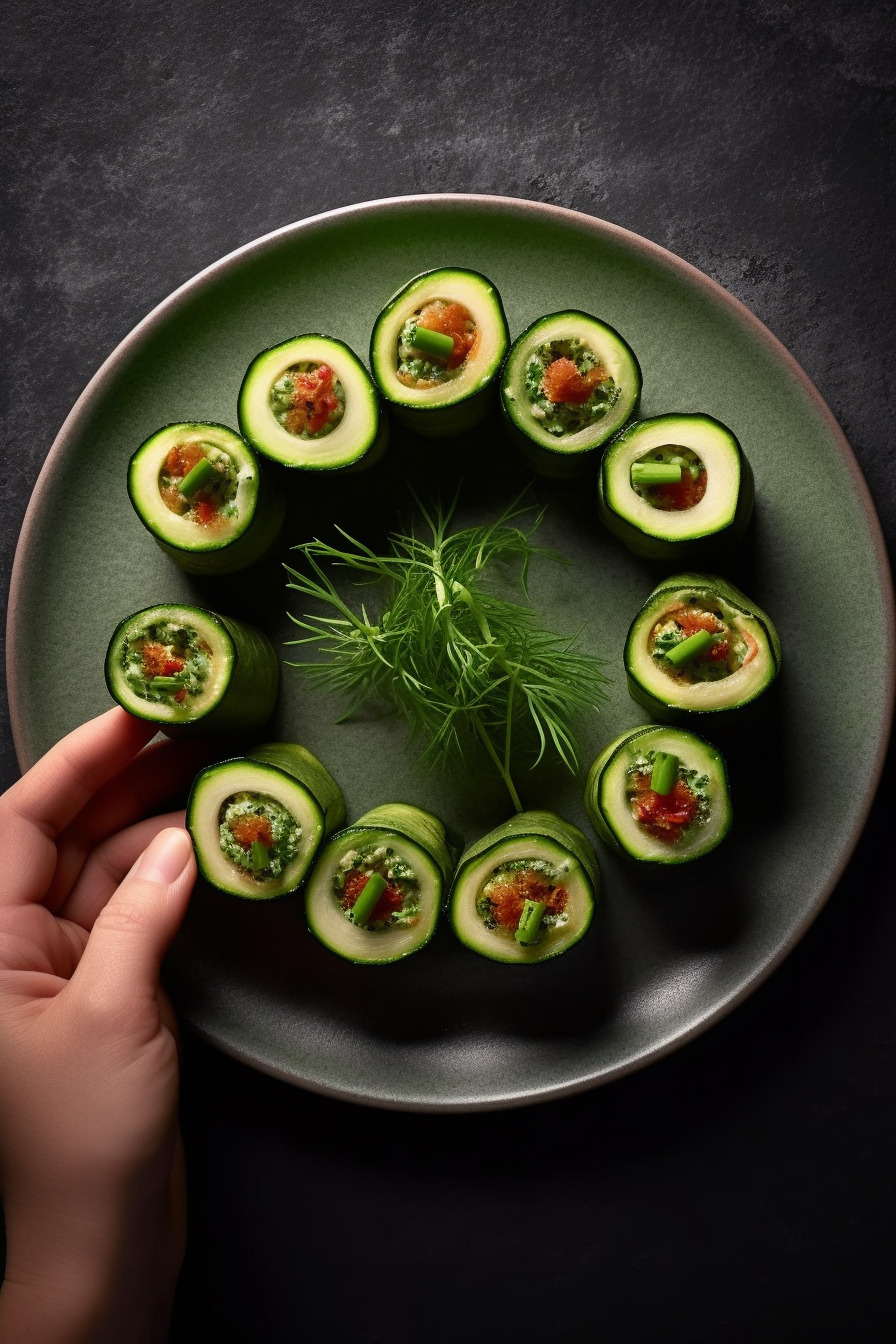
(694,643)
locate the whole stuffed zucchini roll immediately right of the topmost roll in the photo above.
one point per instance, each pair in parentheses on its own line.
(569,385)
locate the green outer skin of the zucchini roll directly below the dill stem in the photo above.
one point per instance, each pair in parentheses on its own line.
(529,826)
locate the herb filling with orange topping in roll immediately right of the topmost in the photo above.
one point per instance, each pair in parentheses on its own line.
(568,386)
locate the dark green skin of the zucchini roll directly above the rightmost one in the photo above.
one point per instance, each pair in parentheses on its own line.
(684,550)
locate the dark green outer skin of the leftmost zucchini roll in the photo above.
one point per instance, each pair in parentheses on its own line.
(251,696)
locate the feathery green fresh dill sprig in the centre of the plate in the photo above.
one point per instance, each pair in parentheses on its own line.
(459,662)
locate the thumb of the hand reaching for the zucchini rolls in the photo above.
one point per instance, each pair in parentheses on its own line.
(135,928)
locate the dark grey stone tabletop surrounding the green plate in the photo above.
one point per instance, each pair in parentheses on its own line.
(744,1187)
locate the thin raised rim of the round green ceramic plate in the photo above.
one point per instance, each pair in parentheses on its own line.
(593,225)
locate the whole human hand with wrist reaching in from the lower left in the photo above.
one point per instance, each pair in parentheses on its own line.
(91,1159)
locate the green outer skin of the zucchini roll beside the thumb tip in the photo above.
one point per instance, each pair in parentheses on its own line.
(300,767)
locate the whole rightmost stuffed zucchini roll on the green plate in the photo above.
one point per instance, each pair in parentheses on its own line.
(699,646)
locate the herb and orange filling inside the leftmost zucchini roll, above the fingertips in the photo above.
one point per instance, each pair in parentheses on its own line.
(167,663)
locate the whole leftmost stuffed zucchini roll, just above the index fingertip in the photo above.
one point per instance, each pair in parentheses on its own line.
(193,671)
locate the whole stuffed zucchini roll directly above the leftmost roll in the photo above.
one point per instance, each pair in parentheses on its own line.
(198,490)
